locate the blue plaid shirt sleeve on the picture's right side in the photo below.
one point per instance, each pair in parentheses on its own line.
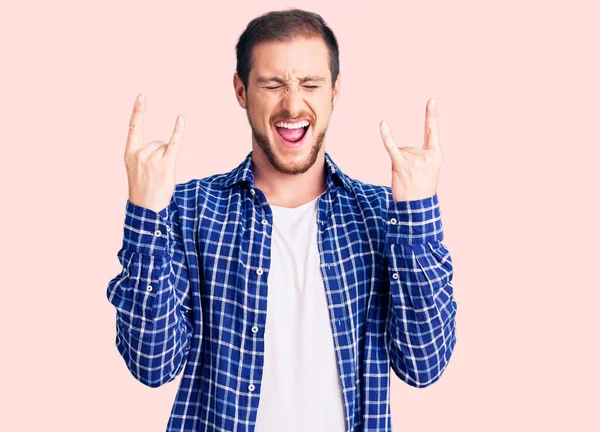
(421,321)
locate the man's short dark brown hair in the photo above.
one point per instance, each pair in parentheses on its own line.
(283,26)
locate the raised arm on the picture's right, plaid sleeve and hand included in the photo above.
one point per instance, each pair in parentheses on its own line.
(421,325)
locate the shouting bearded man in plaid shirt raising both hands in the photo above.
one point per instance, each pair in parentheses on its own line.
(355,277)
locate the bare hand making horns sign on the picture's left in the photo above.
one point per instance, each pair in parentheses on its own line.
(150,167)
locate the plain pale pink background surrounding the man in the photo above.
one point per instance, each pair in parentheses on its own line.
(517,90)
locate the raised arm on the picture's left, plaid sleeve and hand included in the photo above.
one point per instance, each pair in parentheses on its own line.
(152,293)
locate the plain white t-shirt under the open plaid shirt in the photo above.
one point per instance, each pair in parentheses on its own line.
(300,386)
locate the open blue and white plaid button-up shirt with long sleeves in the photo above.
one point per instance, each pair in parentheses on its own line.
(192,296)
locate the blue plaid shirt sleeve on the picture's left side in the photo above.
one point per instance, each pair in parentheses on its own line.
(152,295)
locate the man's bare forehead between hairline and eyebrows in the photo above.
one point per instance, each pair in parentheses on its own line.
(290,59)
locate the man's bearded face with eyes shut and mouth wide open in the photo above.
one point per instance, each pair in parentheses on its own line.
(288,82)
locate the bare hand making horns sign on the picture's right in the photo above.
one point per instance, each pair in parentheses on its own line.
(415,171)
